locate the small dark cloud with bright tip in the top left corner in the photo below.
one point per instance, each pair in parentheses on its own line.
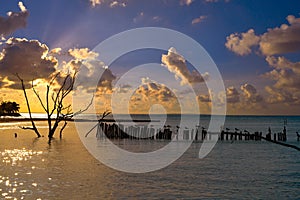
(13,21)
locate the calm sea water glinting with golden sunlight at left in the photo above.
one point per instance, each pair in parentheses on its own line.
(31,169)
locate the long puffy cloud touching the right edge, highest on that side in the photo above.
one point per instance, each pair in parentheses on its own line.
(278,40)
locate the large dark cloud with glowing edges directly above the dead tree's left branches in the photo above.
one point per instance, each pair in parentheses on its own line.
(28,58)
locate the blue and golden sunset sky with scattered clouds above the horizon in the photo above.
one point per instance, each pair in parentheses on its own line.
(254,44)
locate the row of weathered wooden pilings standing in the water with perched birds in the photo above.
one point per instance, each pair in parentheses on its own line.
(120,131)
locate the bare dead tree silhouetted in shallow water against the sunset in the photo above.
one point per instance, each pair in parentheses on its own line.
(54,104)
